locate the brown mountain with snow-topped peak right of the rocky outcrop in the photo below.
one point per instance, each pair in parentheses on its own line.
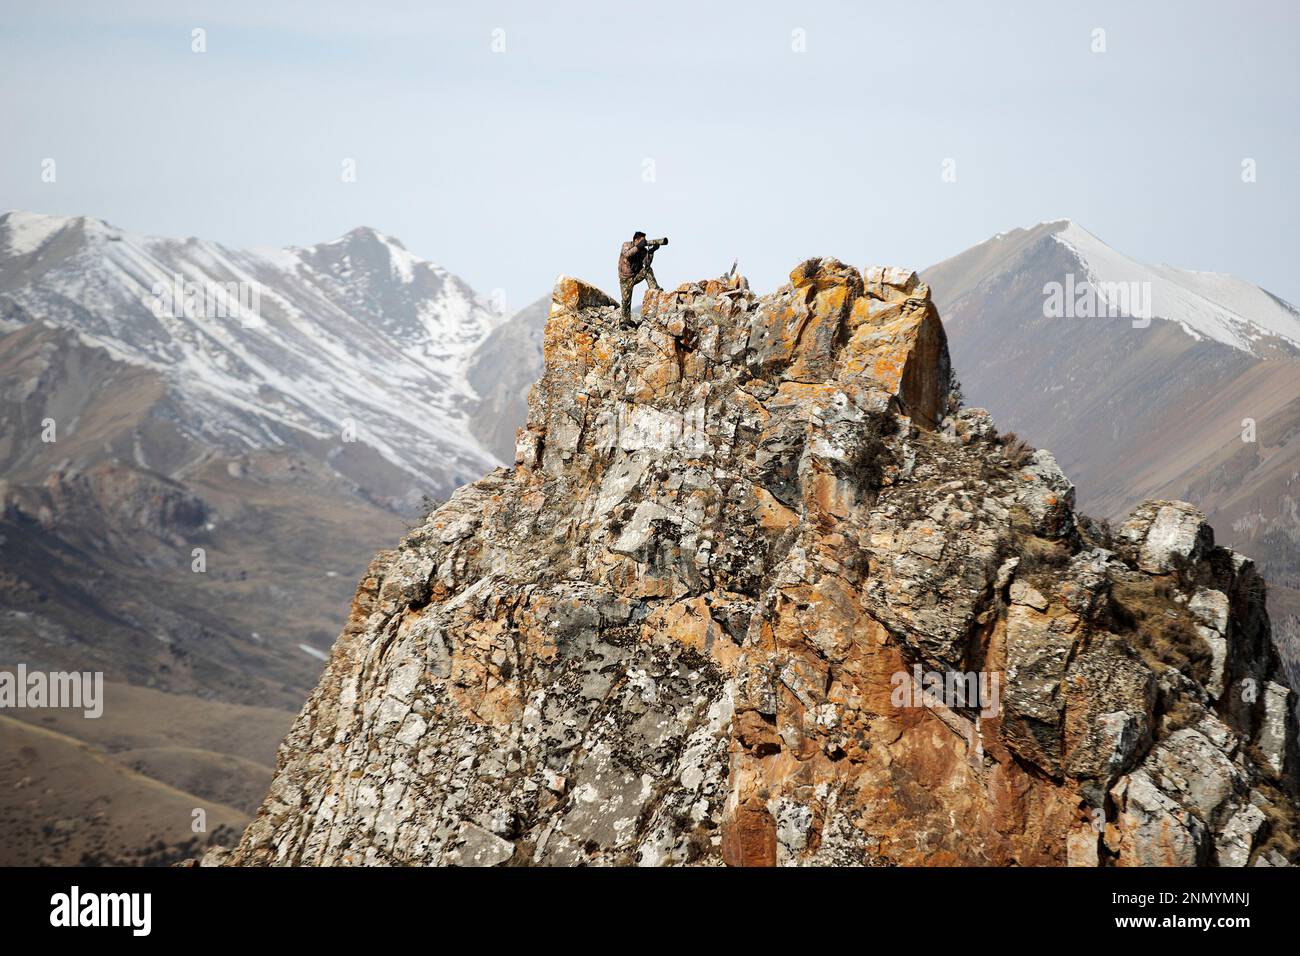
(1137,409)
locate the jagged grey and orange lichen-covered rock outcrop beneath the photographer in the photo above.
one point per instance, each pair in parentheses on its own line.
(757,592)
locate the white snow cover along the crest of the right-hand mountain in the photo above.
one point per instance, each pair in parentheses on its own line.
(1207,305)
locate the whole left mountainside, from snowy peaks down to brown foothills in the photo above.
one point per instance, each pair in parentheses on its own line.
(201,449)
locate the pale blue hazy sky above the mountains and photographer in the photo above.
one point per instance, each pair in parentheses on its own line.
(509,168)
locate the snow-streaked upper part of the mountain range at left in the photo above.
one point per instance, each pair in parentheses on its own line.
(350,340)
